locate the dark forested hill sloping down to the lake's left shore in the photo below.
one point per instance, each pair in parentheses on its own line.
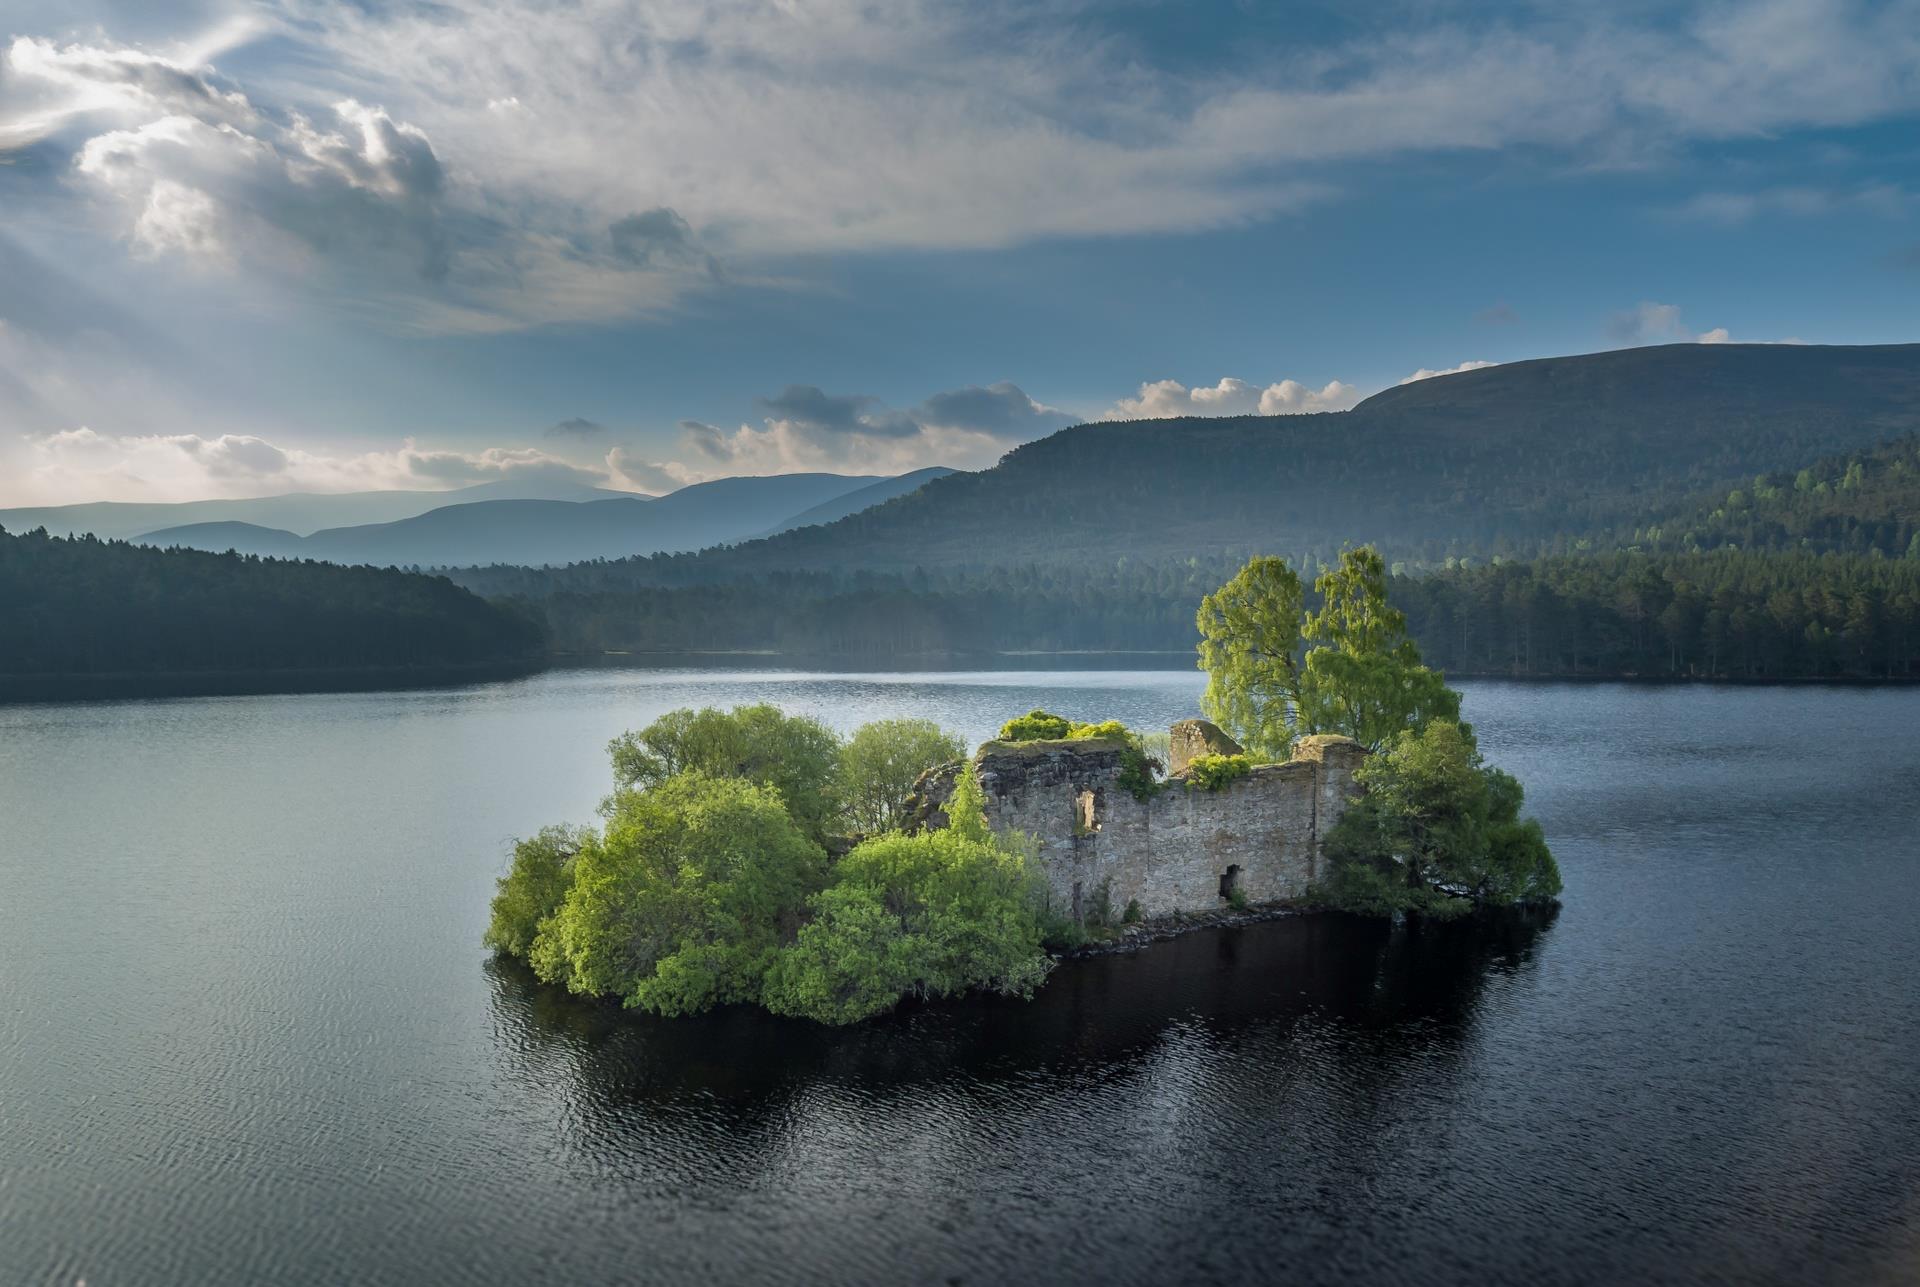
(76,610)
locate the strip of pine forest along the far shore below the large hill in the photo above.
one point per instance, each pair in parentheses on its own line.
(1742,616)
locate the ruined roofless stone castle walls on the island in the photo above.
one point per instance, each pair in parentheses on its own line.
(1184,848)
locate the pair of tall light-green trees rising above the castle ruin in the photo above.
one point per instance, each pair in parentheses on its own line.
(1351,668)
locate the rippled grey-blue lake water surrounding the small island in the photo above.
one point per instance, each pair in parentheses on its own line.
(249,1034)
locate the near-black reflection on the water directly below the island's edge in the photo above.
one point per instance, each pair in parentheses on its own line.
(1101,1011)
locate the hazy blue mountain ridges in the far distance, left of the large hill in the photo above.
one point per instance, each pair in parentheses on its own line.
(569,529)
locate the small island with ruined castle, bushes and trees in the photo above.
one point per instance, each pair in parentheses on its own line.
(757,858)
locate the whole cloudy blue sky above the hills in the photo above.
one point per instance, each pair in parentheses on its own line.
(352,245)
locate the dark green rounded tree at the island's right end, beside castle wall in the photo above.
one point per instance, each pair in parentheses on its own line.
(1437,833)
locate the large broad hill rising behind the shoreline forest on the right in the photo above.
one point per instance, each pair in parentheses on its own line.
(1516,460)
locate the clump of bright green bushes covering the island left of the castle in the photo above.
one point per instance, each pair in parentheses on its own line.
(709,888)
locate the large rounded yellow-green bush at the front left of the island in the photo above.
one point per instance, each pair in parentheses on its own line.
(686,900)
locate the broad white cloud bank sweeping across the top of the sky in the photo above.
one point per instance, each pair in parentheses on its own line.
(598,158)
